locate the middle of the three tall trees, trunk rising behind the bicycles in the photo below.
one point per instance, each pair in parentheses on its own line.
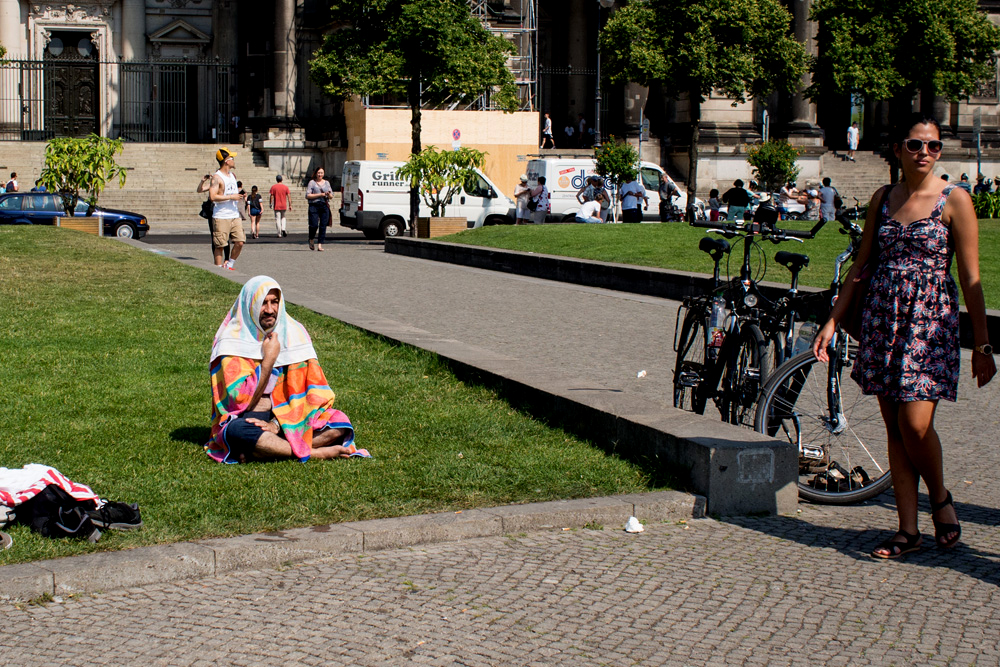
(741,48)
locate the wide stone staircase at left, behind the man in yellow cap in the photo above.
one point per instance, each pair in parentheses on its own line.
(162,179)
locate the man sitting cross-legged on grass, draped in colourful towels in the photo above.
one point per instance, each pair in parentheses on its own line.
(270,399)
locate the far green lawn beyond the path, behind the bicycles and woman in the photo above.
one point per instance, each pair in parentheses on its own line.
(675,246)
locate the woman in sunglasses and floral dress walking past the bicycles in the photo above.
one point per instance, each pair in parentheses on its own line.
(909,352)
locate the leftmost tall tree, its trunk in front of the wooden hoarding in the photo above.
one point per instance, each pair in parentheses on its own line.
(430,51)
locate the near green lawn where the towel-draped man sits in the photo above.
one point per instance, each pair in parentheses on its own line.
(105,374)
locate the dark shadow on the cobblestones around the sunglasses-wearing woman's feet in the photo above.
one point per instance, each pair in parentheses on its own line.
(969,558)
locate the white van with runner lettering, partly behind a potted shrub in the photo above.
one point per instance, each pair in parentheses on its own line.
(377,202)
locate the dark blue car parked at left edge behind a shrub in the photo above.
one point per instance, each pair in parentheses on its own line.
(44,208)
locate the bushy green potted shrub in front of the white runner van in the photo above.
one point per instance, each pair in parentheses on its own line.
(439,175)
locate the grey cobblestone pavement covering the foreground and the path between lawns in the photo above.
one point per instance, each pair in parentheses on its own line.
(774,591)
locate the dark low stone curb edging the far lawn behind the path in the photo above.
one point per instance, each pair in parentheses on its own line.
(674,285)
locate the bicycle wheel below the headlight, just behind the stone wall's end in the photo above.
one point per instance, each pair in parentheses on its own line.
(744,378)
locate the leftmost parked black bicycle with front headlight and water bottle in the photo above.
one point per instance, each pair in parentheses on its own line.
(722,354)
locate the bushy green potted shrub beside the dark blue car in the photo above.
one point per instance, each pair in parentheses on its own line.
(87,164)
